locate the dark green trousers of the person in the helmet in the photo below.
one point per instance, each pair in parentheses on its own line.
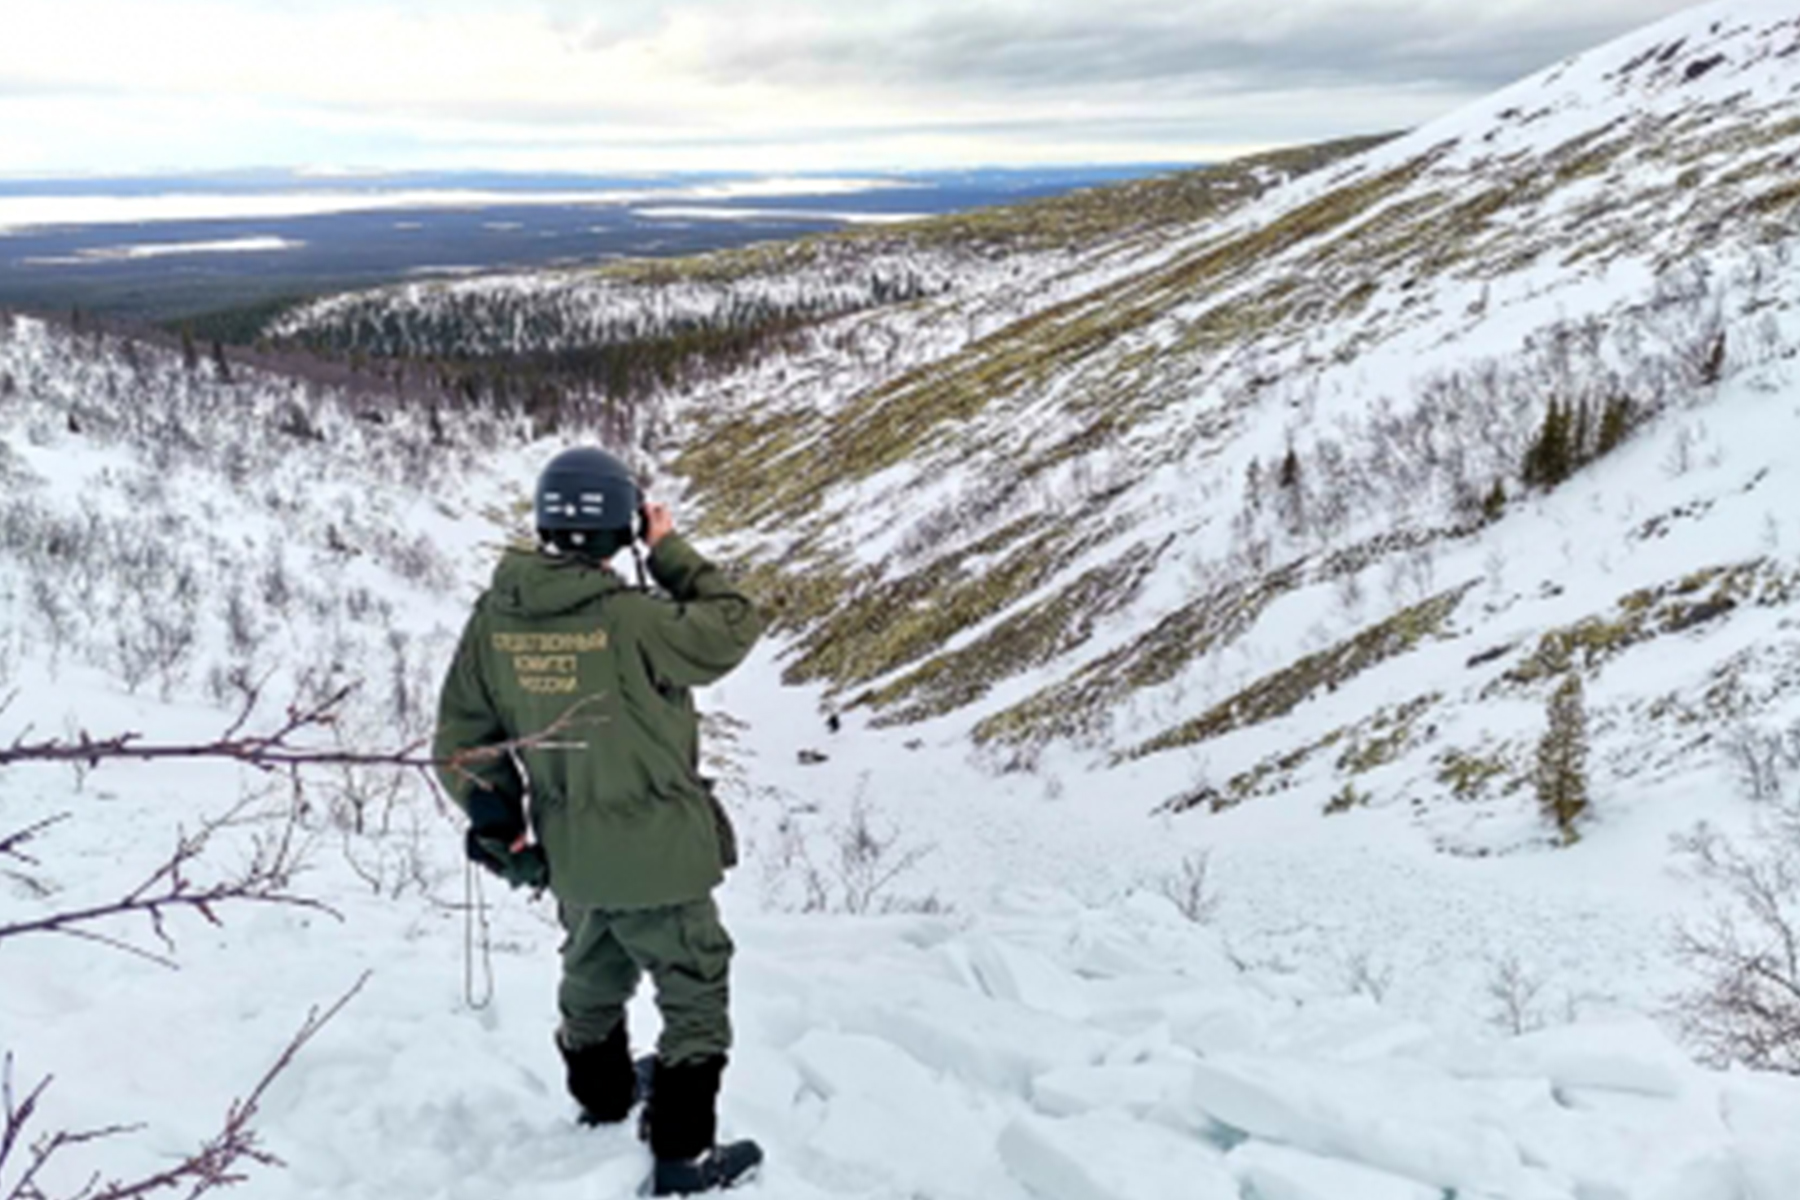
(688,956)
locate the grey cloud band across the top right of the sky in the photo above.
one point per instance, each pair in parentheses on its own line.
(1236,46)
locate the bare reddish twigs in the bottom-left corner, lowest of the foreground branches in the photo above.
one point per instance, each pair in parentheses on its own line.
(220,1163)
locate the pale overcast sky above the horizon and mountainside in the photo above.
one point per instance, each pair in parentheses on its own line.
(755,85)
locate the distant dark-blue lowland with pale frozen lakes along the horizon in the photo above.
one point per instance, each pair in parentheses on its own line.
(168,247)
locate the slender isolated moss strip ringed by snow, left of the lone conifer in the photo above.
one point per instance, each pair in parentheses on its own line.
(1281,694)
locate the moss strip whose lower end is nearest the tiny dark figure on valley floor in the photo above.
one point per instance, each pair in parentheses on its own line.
(1025,641)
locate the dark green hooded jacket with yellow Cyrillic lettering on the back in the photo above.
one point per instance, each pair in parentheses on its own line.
(616,796)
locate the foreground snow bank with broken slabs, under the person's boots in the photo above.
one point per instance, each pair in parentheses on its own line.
(1036,1048)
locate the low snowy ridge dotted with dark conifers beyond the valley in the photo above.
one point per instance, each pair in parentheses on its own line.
(987,267)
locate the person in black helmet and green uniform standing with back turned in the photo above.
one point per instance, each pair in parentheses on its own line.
(600,798)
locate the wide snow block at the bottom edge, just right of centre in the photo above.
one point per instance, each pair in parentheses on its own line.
(1108,1156)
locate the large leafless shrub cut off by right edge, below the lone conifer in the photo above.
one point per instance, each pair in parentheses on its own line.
(1745,1007)
